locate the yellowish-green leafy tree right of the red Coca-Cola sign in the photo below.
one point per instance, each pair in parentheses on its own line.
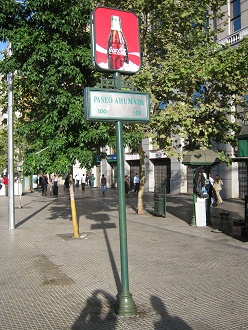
(185,70)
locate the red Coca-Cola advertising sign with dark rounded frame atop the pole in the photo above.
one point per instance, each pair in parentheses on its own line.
(115,41)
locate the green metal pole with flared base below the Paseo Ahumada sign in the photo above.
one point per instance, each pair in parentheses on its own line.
(125,303)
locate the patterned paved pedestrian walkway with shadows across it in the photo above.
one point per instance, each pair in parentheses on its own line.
(180,276)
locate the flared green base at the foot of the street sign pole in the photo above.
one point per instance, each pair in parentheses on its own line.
(125,305)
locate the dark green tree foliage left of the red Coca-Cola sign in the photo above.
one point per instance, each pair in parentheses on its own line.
(51,50)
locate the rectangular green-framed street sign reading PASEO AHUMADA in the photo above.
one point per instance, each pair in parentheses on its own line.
(115,105)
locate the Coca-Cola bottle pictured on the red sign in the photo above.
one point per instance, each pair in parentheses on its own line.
(117,51)
